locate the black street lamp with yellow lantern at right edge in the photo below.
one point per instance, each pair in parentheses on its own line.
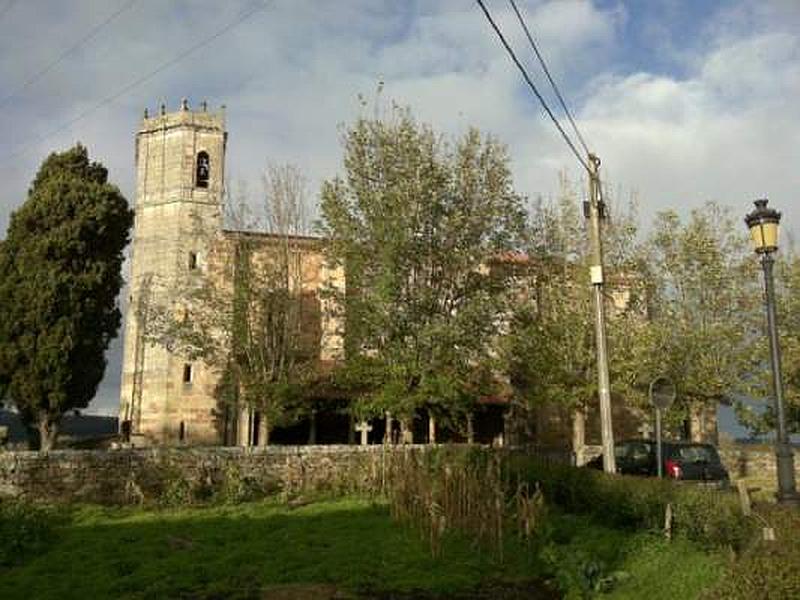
(763,224)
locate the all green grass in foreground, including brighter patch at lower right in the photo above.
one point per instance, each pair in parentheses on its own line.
(235,551)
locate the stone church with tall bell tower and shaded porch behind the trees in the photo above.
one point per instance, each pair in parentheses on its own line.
(178,232)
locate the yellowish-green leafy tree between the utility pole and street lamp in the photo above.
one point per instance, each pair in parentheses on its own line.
(702,302)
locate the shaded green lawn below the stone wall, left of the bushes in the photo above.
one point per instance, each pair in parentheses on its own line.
(235,551)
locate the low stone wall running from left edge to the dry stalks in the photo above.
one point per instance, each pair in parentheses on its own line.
(135,475)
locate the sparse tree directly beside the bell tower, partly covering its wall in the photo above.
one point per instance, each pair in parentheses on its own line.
(247,316)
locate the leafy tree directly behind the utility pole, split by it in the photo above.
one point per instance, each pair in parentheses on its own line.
(550,352)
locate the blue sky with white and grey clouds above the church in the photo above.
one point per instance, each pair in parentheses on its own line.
(685,101)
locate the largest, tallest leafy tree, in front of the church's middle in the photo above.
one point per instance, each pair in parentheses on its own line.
(417,222)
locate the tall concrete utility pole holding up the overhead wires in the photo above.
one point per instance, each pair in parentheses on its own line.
(596,213)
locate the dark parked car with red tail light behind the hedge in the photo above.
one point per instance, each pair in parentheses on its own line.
(684,461)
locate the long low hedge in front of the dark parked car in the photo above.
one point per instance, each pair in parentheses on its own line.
(710,517)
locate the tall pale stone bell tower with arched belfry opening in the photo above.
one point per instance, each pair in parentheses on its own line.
(180,168)
